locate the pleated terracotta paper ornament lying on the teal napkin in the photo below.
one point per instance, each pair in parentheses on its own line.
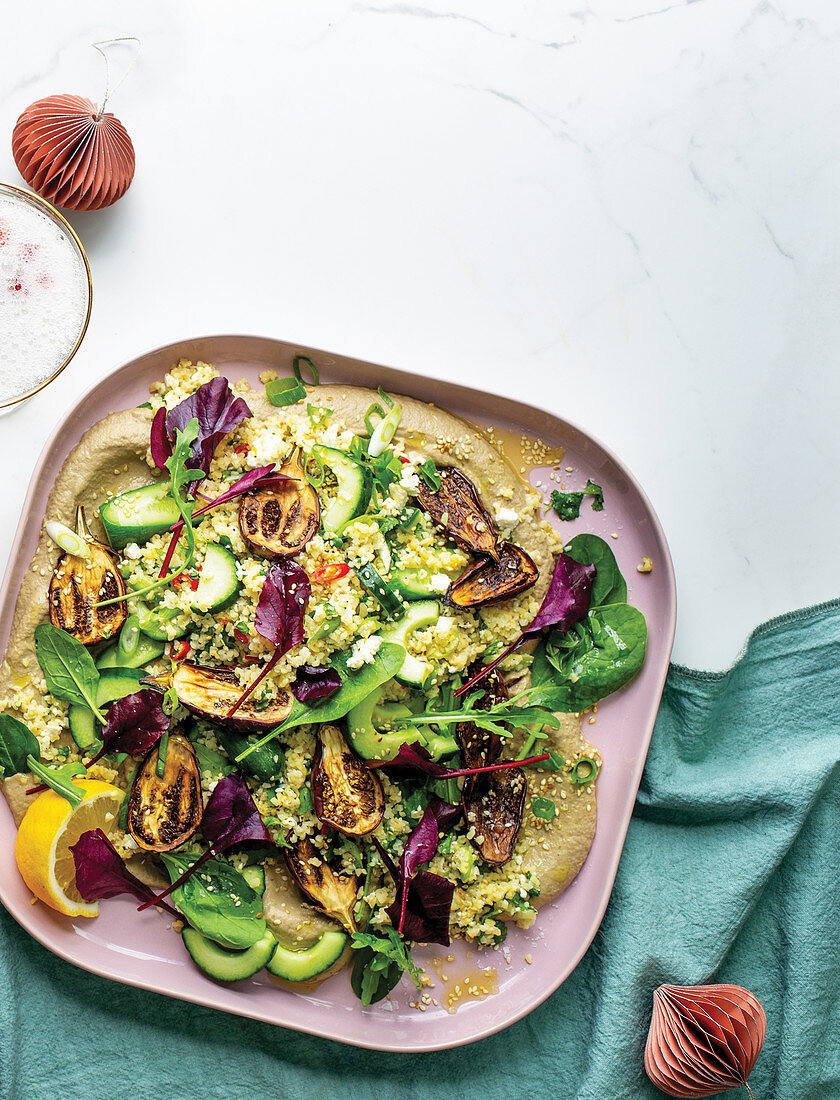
(704,1040)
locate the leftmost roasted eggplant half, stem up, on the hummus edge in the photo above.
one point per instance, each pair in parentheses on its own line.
(80,584)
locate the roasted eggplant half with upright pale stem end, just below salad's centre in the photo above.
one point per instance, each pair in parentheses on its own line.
(347,795)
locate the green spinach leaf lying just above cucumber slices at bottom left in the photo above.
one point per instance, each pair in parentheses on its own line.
(217,901)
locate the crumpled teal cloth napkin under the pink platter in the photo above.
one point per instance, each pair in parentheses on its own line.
(732,873)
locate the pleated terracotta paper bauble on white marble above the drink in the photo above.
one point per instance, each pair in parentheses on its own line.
(71,156)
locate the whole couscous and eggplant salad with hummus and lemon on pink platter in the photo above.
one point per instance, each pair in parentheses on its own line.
(304,669)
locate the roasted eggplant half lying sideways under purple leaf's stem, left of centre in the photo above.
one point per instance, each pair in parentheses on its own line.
(211,692)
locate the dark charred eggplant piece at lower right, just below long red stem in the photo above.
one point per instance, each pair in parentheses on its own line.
(493,805)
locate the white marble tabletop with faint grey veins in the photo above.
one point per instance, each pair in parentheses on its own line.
(625,208)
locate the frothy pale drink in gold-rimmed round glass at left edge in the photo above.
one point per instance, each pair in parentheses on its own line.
(45,294)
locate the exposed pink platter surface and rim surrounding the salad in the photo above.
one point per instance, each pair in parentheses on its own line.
(142,950)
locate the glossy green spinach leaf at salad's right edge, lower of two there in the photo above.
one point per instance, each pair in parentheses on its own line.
(595,659)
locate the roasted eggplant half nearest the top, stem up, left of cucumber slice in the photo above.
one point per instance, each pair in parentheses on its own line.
(281,518)
